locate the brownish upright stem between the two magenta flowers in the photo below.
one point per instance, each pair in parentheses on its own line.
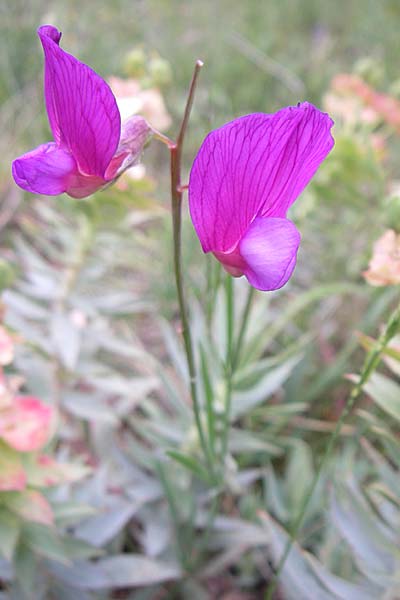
(176,204)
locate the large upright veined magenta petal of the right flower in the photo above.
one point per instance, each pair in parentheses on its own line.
(255,165)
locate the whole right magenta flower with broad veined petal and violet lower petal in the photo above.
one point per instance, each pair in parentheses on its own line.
(245,177)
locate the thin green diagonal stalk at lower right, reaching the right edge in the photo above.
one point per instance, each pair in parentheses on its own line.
(371,362)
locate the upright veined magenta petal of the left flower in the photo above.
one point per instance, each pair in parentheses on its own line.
(82,110)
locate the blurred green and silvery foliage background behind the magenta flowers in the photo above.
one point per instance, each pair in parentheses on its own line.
(89,291)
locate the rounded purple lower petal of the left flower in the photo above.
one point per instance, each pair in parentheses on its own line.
(45,170)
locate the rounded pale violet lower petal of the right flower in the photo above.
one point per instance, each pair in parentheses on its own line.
(269,250)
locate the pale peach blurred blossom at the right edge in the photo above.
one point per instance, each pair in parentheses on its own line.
(384,266)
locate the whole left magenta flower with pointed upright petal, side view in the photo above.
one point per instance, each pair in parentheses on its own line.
(90,149)
